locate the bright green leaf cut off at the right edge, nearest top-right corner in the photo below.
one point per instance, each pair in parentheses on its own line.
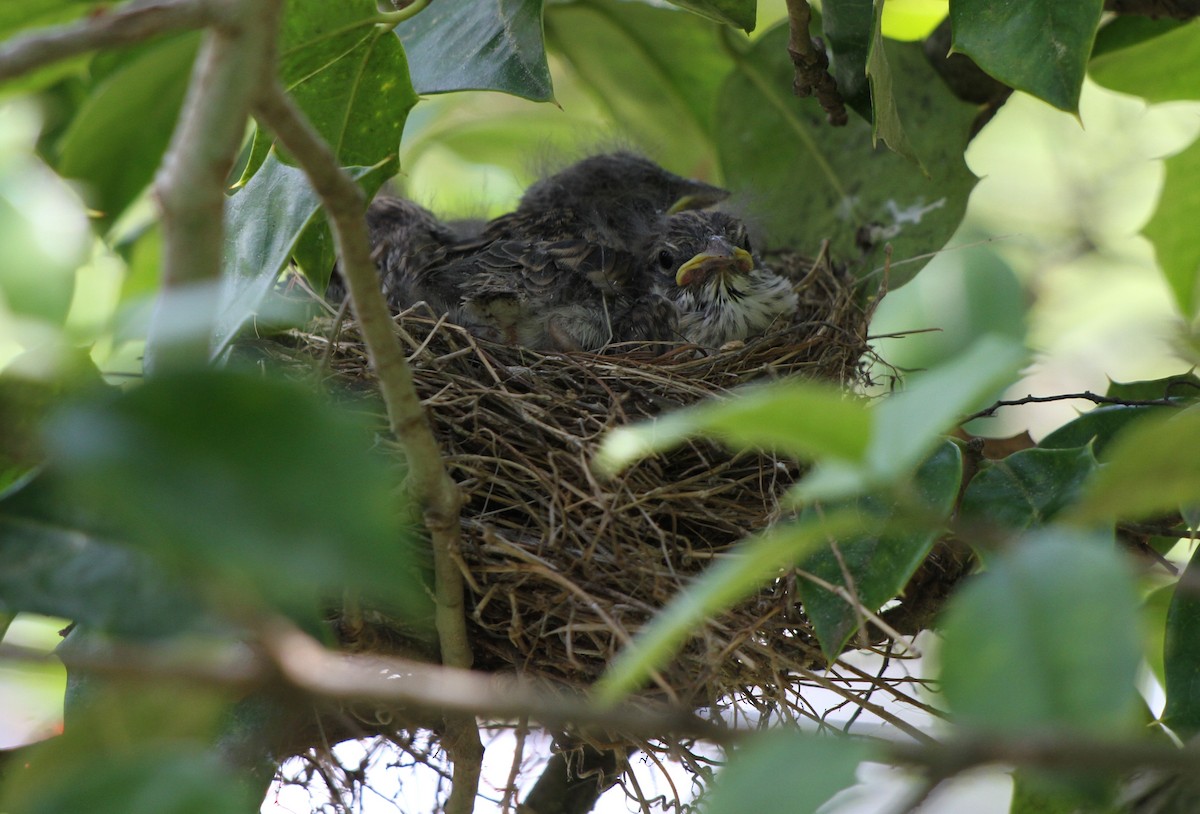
(1162,67)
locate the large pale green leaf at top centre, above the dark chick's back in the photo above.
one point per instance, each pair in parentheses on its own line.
(658,71)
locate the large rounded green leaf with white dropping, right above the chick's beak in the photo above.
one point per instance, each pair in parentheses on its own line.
(807,182)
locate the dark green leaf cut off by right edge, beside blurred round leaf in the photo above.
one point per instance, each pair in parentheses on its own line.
(1181,655)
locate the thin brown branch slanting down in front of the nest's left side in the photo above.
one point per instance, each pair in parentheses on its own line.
(429,482)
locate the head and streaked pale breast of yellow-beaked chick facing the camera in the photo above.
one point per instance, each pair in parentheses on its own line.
(703,264)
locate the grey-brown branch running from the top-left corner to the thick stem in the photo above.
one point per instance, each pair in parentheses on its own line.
(133,23)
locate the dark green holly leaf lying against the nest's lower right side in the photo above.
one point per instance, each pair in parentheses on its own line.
(896,538)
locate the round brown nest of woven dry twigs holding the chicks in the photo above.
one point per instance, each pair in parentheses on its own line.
(562,567)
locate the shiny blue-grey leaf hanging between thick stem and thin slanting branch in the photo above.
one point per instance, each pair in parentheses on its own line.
(265,222)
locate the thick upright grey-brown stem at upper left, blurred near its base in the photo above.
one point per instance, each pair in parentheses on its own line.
(238,50)
